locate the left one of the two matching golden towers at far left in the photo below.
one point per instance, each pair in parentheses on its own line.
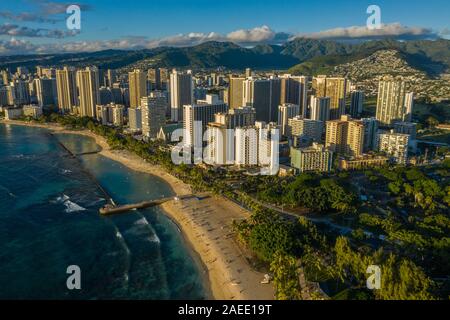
(66,89)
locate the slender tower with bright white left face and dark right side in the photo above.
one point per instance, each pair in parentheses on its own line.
(181,93)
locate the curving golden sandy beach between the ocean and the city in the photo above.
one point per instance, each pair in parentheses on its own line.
(205,222)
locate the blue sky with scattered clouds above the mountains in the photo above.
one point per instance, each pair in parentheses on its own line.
(39,26)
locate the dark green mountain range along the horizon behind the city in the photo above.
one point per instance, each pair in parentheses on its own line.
(301,55)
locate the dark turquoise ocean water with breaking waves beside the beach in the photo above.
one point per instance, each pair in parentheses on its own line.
(49,220)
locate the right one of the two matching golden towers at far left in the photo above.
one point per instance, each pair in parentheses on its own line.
(87,83)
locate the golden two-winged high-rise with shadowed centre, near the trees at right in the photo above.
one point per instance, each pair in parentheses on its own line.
(345,136)
